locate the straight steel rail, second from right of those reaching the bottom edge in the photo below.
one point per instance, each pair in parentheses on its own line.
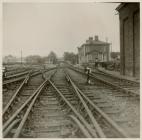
(97,127)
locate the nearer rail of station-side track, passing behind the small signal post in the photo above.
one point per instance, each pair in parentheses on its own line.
(110,84)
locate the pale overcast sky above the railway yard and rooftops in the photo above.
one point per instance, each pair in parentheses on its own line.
(38,28)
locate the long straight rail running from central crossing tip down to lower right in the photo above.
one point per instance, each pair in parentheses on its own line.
(90,129)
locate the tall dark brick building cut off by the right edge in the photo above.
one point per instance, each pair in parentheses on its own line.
(129,15)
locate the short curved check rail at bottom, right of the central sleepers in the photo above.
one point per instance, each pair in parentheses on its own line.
(81,126)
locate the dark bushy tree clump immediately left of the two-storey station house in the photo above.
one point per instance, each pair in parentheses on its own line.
(73,58)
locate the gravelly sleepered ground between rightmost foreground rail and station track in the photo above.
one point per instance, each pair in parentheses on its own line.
(122,109)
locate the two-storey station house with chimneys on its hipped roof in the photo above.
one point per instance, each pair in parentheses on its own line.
(93,50)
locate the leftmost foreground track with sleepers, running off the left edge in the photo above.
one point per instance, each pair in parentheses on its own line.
(21,97)
